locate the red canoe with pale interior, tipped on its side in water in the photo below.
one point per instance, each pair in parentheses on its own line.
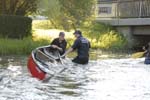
(37,65)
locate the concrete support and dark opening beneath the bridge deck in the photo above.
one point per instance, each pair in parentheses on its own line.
(137,36)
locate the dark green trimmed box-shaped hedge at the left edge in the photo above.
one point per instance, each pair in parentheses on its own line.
(15,26)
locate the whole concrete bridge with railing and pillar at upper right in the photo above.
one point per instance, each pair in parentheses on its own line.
(129,17)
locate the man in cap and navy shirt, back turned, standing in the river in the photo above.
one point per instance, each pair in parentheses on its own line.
(82,45)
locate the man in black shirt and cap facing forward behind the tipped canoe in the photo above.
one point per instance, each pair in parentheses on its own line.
(59,43)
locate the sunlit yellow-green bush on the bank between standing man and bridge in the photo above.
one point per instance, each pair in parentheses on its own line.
(109,40)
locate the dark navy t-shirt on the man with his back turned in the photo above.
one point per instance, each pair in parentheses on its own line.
(82,45)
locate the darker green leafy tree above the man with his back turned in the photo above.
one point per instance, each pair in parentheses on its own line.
(78,11)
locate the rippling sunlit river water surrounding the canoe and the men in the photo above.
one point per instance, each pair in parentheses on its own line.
(107,79)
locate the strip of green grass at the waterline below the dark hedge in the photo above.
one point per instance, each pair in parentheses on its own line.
(19,47)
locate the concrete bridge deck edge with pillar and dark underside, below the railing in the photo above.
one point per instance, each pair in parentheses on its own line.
(136,30)
